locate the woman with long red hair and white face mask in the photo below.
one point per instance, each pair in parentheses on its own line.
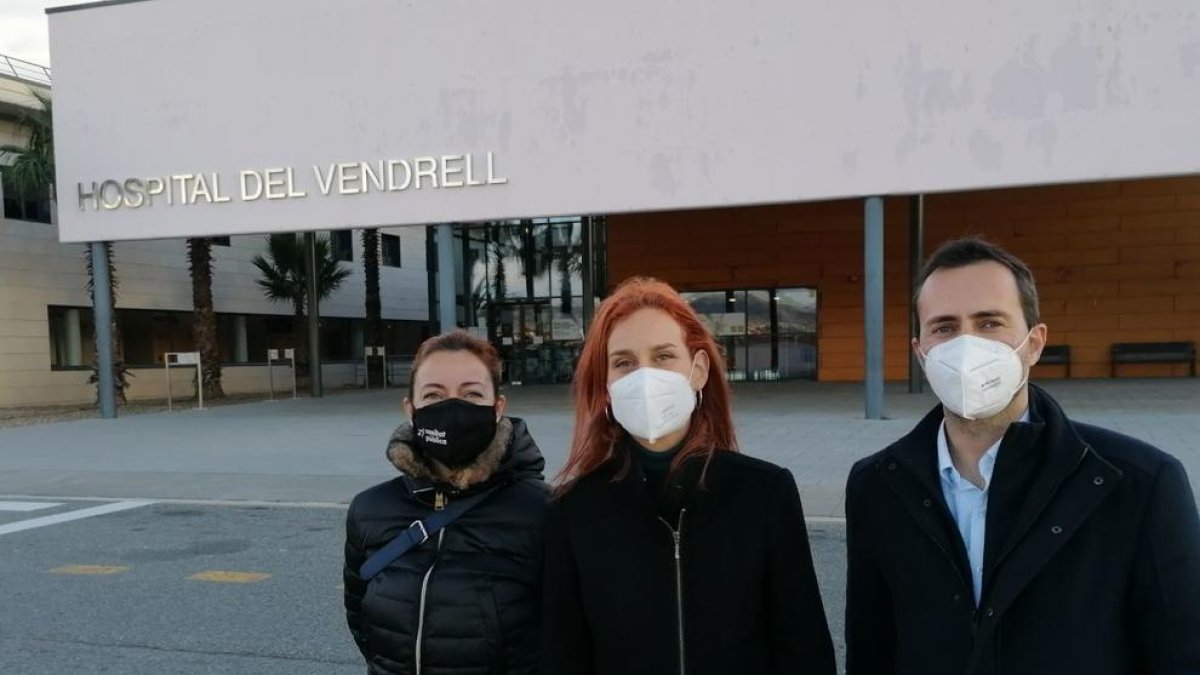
(667,549)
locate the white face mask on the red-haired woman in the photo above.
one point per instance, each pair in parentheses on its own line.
(652,403)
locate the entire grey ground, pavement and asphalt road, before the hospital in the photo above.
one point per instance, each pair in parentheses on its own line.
(206,542)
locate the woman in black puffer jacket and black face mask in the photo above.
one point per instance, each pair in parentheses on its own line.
(466,601)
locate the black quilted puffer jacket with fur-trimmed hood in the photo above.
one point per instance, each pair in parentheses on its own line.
(467,601)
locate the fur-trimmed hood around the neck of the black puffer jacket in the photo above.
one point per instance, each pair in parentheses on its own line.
(513,455)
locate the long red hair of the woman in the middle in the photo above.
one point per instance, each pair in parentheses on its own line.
(596,433)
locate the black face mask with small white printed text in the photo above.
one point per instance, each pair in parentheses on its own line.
(454,432)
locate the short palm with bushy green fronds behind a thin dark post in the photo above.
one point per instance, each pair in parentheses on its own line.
(285,279)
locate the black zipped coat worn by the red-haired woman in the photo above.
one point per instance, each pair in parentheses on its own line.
(727,565)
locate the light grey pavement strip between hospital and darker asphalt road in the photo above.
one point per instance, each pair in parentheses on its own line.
(326,451)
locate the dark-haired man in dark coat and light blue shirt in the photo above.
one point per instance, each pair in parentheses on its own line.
(1000,536)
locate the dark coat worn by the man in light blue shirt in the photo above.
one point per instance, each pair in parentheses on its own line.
(1091,561)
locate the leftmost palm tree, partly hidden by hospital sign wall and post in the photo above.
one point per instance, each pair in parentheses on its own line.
(29,170)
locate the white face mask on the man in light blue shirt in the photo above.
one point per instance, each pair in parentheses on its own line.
(976,378)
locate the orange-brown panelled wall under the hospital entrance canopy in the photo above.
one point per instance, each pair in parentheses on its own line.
(1115,262)
